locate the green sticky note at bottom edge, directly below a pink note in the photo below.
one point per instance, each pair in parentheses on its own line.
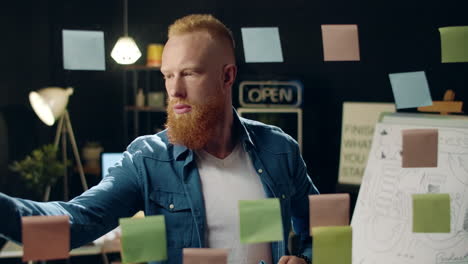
(332,245)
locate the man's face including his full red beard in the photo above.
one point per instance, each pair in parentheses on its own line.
(194,83)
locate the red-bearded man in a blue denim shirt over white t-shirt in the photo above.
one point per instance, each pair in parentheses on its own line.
(196,171)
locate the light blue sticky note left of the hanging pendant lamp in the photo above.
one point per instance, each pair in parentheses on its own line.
(83,50)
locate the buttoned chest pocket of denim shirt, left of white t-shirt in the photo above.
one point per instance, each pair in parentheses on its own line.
(178,216)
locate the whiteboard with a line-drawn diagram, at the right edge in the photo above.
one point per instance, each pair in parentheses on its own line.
(382,220)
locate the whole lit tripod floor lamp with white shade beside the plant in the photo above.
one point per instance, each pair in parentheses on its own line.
(50,105)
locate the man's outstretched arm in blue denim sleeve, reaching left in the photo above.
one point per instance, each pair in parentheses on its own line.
(92,214)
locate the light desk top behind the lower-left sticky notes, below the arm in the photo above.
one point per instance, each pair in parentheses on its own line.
(12,250)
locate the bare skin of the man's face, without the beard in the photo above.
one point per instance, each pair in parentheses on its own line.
(191,68)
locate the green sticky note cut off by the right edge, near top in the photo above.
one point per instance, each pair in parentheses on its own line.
(454,43)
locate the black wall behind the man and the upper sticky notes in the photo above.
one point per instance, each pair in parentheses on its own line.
(395,36)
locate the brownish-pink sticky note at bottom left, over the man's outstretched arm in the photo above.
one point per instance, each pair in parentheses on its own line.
(45,237)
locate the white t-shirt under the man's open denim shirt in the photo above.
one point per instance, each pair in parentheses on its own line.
(225,182)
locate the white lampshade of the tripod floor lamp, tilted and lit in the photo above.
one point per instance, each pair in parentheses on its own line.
(50,103)
